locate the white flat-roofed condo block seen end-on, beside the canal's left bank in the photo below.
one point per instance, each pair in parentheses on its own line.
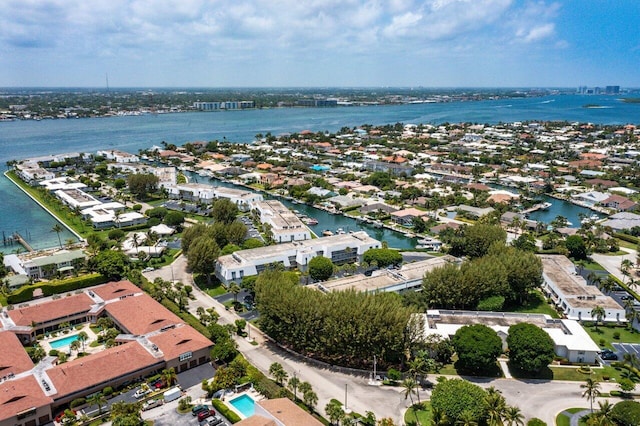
(285,225)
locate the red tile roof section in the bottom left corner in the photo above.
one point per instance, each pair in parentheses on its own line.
(17,395)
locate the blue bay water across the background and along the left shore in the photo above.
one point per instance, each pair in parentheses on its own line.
(23,139)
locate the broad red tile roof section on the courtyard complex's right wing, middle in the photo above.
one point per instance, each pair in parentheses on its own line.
(149,314)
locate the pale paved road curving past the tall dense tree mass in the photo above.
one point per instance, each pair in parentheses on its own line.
(542,399)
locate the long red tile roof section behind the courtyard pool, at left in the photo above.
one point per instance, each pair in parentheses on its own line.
(46,311)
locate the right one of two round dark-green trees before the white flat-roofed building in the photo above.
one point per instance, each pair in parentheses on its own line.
(530,348)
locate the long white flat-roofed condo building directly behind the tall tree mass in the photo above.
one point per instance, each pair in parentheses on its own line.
(339,248)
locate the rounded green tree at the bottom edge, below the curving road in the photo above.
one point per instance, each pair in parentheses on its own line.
(453,397)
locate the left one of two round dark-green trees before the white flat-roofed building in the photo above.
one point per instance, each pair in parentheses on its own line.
(477,346)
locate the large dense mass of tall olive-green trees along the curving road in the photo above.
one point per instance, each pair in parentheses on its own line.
(343,328)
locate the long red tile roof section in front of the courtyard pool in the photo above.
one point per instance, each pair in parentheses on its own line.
(110,364)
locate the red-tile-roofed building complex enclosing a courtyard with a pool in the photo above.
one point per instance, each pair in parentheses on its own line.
(154,339)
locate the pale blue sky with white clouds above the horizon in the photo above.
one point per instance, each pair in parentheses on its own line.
(319,43)
